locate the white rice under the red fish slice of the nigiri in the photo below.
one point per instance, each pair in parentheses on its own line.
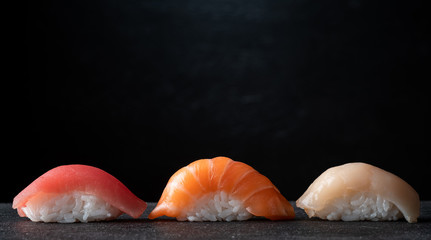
(70,207)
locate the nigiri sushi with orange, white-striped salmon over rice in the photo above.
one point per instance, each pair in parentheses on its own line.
(221,189)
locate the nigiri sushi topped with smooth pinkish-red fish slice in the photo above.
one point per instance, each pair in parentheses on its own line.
(76,193)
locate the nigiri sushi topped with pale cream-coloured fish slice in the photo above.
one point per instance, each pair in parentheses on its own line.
(360,191)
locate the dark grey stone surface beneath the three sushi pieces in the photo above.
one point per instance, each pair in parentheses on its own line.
(14,227)
